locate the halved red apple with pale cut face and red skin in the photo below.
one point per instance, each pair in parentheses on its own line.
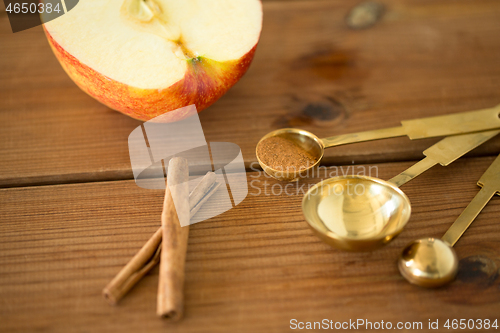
(147,57)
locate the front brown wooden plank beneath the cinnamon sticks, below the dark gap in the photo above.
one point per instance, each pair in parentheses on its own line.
(251,269)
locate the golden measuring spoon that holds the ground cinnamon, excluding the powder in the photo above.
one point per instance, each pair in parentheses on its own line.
(459,123)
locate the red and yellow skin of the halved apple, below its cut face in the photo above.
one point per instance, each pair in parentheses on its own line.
(204,83)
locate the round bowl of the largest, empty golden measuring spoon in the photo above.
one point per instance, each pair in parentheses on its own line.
(356,213)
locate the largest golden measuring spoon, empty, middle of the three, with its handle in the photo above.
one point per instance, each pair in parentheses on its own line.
(361,213)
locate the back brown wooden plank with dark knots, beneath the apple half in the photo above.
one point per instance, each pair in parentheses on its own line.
(310,71)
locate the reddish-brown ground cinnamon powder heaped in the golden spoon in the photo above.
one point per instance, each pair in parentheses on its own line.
(283,154)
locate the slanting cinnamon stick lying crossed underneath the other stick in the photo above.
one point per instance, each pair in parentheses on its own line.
(149,255)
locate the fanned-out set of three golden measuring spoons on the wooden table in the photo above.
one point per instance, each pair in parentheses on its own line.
(375,211)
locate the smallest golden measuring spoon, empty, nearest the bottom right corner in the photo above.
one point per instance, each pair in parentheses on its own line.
(430,262)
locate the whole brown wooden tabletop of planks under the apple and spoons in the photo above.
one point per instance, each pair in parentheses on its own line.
(72,216)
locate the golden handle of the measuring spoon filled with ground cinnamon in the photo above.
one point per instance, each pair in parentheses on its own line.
(458,123)
